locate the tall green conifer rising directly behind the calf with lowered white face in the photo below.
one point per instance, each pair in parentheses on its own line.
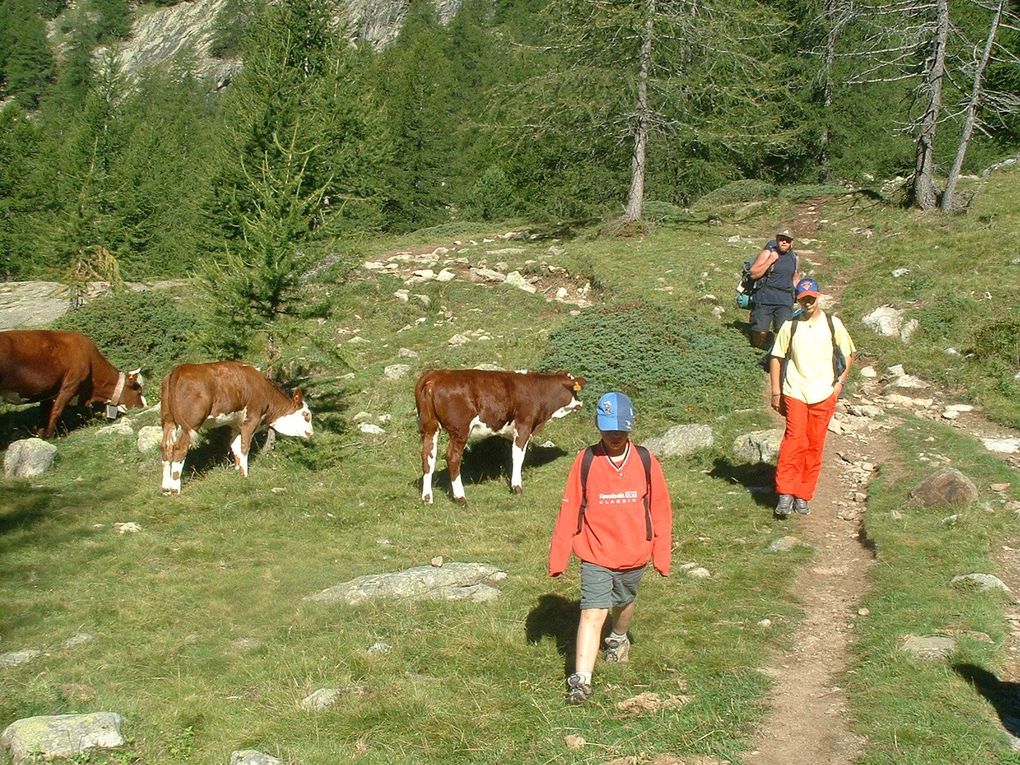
(295,169)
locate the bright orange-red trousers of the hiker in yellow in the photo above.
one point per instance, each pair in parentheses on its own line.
(801,451)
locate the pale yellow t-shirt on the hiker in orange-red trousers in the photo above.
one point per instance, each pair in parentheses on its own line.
(809,374)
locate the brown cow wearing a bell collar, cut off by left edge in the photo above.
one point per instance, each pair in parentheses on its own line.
(55,368)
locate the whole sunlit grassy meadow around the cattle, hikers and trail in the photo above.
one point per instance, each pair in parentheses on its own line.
(201,635)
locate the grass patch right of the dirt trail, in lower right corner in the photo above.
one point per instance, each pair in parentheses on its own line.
(912,710)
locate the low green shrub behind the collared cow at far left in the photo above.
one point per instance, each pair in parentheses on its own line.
(144,329)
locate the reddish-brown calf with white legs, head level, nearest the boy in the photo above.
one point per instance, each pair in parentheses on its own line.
(469,403)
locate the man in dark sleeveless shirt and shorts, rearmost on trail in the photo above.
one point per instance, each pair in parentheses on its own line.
(778,266)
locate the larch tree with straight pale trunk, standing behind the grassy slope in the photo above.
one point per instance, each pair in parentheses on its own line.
(694,73)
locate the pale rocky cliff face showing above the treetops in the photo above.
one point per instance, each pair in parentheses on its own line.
(159,36)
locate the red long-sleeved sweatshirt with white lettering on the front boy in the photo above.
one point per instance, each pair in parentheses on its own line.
(614,534)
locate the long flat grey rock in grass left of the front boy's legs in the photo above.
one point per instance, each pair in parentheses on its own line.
(449,582)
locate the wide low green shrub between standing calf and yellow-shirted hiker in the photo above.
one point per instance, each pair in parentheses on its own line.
(676,368)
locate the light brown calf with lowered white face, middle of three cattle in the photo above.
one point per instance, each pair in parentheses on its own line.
(224,393)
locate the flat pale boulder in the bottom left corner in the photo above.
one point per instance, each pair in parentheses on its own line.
(62,736)
